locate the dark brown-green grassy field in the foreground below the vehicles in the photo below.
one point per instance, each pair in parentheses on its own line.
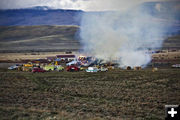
(117,94)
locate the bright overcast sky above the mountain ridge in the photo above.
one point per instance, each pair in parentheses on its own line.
(86,5)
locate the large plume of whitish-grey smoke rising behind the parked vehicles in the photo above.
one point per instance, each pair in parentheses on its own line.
(125,36)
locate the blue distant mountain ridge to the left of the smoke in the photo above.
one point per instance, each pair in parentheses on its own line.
(39,15)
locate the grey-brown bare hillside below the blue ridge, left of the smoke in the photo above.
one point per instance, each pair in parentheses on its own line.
(38,38)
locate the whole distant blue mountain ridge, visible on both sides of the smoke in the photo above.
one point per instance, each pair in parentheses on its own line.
(45,15)
